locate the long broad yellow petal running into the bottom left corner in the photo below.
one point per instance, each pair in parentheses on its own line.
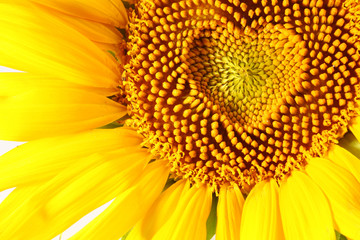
(73,193)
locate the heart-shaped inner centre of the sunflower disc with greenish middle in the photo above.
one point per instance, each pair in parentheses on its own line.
(245,78)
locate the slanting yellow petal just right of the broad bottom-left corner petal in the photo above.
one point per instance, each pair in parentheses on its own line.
(129,207)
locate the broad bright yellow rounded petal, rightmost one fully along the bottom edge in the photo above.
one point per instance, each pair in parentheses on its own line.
(305,211)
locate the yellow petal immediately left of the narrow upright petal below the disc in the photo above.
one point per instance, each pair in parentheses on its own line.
(188,221)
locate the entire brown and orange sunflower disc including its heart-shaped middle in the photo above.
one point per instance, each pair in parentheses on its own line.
(235,92)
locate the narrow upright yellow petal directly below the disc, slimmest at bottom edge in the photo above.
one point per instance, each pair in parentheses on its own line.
(229,211)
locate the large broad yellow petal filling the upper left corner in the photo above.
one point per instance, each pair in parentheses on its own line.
(28,42)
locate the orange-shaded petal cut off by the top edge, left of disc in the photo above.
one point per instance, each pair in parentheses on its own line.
(105,11)
